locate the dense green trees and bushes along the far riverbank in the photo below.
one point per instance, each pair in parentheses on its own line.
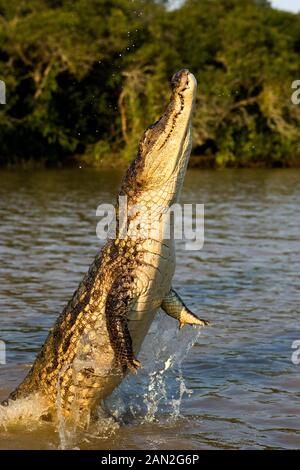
(85,77)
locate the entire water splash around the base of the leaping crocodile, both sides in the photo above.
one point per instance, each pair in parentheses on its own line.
(154,394)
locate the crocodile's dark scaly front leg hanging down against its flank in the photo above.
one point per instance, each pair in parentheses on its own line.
(117,309)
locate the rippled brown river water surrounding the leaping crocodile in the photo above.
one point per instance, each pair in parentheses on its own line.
(231,386)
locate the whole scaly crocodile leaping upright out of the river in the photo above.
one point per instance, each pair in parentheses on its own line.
(97,337)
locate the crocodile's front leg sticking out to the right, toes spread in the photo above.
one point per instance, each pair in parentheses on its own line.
(174,306)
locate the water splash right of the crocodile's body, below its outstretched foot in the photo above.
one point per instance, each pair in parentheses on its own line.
(159,387)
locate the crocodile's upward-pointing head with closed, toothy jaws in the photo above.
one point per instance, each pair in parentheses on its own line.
(165,147)
